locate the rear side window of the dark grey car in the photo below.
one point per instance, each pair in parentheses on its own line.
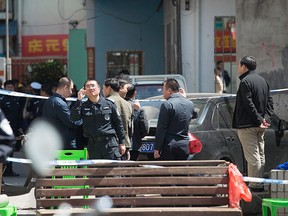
(223,114)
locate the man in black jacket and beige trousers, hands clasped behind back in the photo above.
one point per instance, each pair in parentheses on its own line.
(254,105)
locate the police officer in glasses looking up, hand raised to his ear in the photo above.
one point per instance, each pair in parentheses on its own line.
(102,123)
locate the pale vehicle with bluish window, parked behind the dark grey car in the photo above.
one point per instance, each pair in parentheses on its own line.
(151,85)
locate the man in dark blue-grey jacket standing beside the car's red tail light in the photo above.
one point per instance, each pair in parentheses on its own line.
(172,140)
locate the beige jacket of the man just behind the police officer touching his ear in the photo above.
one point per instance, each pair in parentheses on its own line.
(125,110)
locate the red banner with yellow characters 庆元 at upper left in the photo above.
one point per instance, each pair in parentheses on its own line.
(44,45)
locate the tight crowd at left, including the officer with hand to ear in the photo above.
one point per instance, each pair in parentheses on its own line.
(107,130)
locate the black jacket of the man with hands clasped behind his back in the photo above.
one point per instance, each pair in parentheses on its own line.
(253,101)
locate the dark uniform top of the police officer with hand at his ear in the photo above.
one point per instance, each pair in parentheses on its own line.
(99,119)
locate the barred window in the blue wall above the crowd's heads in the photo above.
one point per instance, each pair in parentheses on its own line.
(124,60)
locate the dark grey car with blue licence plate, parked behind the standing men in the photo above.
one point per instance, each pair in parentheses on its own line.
(213,128)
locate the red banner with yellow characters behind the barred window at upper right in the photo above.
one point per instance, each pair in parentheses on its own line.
(224,42)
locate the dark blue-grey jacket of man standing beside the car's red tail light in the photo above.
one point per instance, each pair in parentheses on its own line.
(173,122)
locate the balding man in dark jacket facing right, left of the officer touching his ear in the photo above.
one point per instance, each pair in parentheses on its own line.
(57,112)
